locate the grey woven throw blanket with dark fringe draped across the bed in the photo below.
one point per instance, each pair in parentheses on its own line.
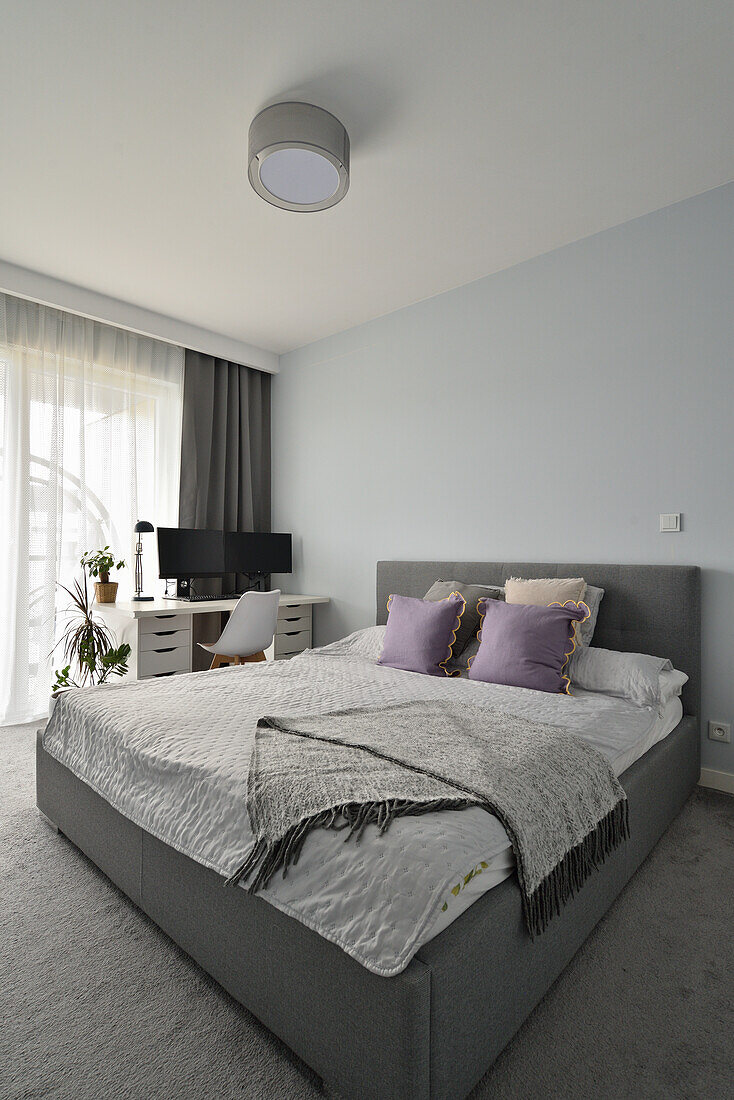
(558,799)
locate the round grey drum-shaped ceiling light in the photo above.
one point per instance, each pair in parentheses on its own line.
(299,157)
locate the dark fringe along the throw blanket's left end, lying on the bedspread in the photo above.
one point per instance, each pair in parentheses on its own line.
(266,860)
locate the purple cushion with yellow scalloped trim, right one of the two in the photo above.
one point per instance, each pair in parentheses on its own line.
(525,646)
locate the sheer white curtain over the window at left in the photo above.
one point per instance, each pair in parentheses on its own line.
(90,444)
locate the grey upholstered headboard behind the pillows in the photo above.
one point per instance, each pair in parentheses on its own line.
(647,609)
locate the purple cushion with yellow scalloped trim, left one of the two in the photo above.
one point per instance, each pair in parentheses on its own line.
(421,634)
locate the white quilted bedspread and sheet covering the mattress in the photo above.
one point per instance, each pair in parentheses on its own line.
(172,755)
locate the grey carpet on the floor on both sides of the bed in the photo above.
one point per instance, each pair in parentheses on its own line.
(97,1003)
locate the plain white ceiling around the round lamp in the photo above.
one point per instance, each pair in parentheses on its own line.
(484,133)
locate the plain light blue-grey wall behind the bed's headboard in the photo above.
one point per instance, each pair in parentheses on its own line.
(550,412)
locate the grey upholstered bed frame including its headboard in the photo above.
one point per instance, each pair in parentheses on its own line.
(431,1032)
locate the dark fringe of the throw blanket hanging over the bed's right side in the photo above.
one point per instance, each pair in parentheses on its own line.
(575,868)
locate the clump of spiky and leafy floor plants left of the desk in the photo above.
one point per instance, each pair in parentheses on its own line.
(87,644)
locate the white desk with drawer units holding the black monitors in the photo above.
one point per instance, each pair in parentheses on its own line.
(162,633)
